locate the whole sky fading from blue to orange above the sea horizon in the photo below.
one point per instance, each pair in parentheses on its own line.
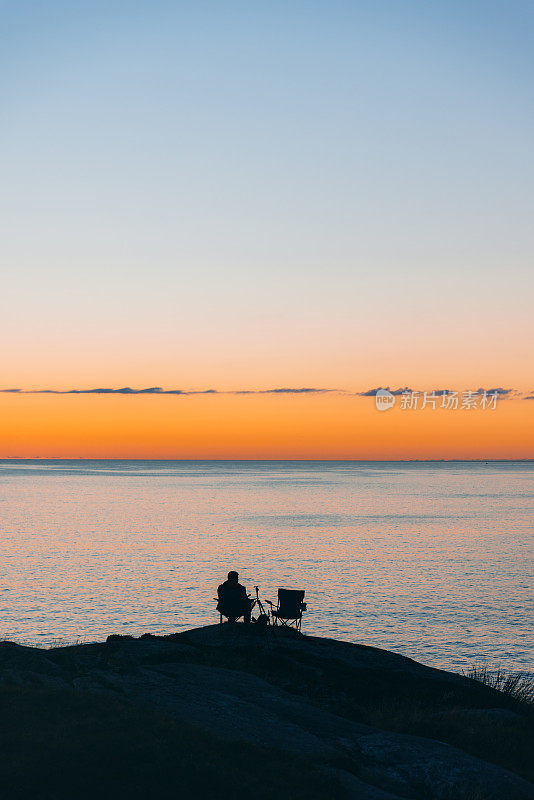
(252,196)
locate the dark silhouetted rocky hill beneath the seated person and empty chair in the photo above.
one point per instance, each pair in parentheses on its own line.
(233,708)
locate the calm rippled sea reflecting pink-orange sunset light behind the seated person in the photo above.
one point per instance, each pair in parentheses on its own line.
(432,560)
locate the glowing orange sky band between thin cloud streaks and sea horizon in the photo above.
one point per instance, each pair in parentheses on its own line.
(328,426)
